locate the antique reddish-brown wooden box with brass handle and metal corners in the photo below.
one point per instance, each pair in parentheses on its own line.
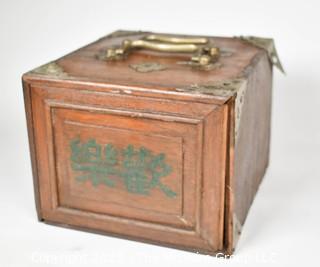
(133,136)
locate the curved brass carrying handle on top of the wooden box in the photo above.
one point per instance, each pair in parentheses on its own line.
(203,54)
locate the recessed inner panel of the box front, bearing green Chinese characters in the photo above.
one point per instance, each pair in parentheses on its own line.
(108,164)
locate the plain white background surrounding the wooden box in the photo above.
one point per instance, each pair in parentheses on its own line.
(283,225)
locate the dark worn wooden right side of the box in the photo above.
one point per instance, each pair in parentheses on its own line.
(249,156)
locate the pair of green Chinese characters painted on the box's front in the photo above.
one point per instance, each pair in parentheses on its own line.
(138,169)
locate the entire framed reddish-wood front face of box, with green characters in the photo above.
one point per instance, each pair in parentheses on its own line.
(131,166)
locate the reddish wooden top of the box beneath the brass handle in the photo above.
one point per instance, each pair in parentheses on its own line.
(153,70)
